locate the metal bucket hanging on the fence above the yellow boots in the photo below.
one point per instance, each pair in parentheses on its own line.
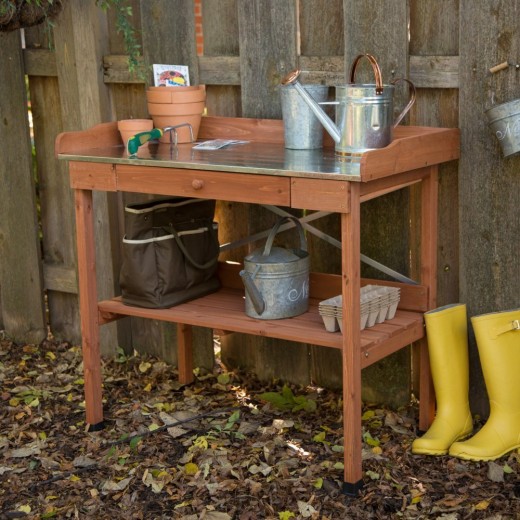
(504,121)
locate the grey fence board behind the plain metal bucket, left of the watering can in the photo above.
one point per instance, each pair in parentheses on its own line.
(267,35)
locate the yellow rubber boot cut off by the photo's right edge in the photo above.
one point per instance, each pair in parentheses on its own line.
(498,341)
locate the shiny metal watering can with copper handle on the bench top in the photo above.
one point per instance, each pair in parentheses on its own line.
(364,112)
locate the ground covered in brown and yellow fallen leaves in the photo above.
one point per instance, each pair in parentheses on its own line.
(226,447)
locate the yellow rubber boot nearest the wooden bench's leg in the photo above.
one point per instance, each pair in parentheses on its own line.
(446,329)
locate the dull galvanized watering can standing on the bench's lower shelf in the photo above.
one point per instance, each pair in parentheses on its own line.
(277,279)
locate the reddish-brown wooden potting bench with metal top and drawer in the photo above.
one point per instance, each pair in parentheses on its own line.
(263,172)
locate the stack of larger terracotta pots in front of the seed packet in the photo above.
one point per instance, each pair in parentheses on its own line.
(171,106)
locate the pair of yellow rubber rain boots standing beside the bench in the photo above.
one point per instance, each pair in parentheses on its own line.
(498,341)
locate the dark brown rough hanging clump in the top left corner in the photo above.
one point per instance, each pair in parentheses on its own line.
(18,14)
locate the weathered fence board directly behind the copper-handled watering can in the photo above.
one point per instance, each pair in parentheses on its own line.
(381,29)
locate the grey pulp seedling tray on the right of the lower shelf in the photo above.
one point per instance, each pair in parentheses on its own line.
(377,304)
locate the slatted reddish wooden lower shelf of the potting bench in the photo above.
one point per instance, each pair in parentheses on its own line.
(224,310)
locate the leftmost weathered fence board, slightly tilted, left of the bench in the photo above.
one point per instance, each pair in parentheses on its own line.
(22,304)
